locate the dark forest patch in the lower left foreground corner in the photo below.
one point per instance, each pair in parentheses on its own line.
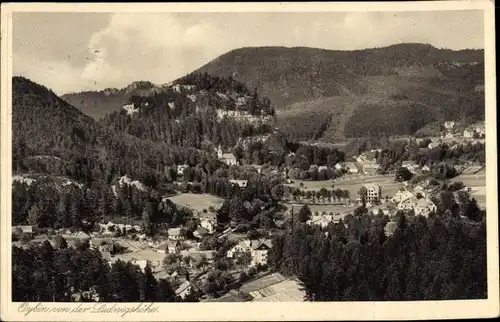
(64,274)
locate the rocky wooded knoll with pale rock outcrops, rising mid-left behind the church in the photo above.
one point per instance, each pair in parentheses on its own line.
(189,115)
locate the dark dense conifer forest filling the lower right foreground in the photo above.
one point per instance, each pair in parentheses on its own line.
(435,258)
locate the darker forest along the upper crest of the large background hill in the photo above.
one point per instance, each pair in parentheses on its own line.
(290,75)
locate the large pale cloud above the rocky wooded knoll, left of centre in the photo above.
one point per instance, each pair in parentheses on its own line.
(152,46)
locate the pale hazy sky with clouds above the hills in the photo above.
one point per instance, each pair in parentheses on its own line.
(72,52)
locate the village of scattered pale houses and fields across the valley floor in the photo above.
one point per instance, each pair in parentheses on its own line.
(187,256)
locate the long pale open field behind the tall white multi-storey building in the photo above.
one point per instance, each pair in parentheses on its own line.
(352,184)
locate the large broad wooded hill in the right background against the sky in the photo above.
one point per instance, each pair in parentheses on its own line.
(327,94)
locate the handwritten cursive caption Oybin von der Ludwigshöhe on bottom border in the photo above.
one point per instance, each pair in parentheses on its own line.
(101,308)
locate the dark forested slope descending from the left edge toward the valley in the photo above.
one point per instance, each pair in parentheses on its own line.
(85,150)
